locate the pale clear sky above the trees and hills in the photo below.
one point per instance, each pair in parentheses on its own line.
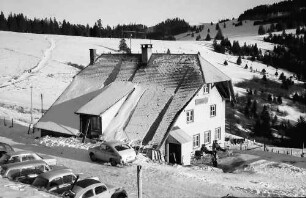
(147,12)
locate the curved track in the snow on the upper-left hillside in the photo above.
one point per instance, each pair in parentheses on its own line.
(41,64)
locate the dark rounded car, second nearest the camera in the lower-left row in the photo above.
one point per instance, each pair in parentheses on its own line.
(55,181)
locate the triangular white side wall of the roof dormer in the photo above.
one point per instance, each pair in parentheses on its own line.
(110,113)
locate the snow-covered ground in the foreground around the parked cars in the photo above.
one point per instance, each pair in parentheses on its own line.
(242,175)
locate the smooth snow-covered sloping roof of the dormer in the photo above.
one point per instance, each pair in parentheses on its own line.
(110,95)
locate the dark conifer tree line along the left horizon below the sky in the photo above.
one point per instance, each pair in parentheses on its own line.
(20,23)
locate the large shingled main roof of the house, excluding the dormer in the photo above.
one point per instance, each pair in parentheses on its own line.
(169,82)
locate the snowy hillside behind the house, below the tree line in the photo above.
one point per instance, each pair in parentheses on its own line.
(44,62)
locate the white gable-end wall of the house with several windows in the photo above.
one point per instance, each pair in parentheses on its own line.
(202,119)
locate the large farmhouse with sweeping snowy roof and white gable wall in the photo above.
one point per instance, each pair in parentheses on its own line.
(173,102)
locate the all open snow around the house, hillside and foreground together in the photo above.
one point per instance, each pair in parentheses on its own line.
(42,61)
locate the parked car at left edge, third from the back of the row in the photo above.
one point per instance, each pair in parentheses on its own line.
(24,172)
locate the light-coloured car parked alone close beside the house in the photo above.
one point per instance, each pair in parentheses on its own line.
(114,152)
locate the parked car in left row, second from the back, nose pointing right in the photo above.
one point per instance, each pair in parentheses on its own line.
(21,156)
